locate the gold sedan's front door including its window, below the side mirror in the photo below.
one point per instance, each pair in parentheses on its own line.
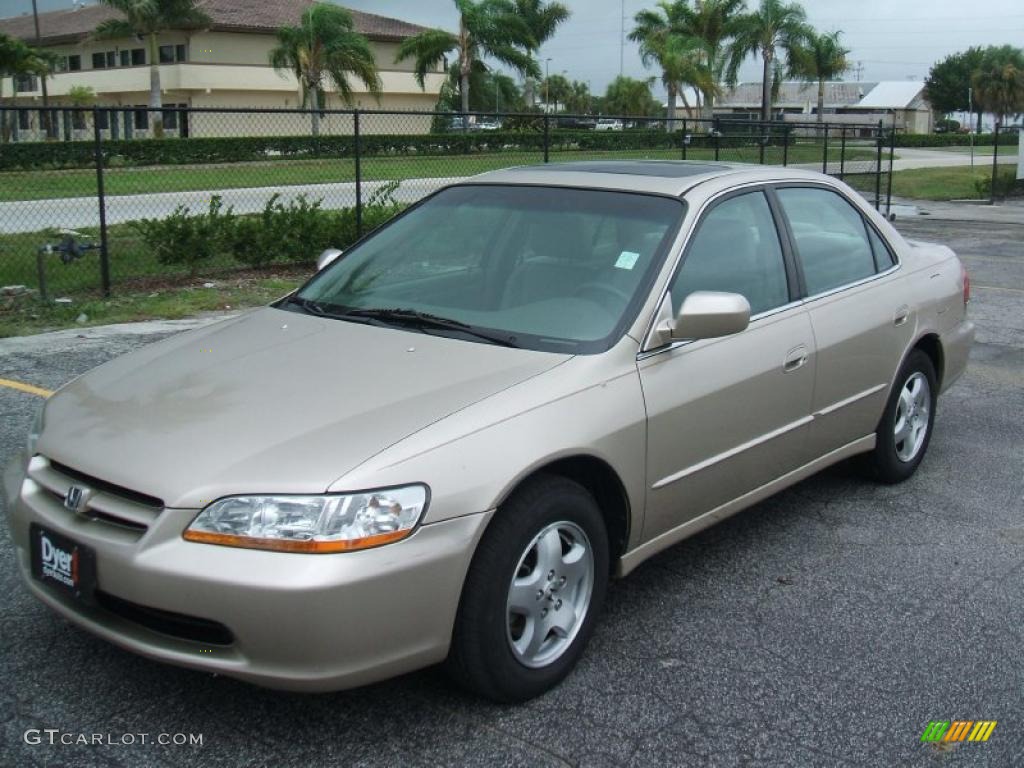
(729,415)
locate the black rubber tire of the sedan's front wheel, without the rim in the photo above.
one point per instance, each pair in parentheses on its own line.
(482,658)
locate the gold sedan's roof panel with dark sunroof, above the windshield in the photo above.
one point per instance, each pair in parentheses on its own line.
(673,178)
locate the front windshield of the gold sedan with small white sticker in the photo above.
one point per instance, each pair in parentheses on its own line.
(552,269)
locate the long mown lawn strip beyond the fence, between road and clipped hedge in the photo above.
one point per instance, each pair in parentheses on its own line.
(50,185)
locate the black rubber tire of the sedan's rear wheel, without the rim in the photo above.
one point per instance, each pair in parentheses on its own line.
(885,463)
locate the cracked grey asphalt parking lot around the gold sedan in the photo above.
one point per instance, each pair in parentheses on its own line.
(827,626)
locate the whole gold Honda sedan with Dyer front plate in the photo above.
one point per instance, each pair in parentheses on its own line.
(445,445)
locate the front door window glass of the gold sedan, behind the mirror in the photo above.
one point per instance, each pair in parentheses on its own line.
(736,249)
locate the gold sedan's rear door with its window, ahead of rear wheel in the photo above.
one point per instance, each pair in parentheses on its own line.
(862,317)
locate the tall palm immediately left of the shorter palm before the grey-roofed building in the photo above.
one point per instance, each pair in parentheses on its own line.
(776,25)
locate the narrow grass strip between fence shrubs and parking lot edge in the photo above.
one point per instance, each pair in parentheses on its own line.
(29,316)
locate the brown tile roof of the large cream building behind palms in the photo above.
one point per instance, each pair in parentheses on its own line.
(229,16)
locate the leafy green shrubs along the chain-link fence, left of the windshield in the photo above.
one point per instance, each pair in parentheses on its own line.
(295,233)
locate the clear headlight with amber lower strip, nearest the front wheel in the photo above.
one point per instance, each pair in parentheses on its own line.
(312,524)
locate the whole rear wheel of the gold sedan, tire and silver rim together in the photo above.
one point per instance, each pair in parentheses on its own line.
(906,430)
